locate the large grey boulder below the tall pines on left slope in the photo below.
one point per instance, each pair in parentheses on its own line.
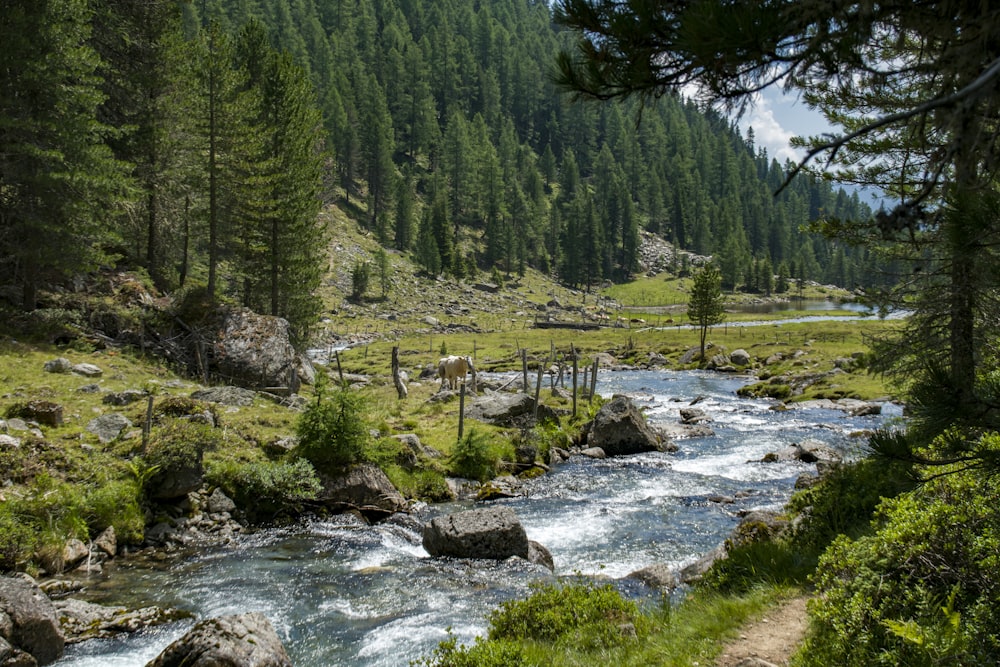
(254,350)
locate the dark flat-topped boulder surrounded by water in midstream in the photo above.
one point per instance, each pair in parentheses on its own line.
(491,532)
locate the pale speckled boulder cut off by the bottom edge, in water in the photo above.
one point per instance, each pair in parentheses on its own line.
(244,640)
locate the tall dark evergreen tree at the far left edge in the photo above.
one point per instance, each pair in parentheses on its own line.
(58,178)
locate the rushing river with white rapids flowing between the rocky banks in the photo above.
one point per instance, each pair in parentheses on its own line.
(340,593)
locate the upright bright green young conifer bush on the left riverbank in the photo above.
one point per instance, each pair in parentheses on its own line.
(332,430)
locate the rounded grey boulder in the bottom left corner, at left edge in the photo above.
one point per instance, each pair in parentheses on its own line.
(31,619)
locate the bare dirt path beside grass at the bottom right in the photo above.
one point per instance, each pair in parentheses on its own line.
(772,638)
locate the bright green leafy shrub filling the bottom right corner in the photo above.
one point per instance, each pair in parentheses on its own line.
(920,590)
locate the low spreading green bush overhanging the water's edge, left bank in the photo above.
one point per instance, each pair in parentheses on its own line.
(265,490)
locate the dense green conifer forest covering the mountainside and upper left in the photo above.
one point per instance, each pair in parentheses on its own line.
(199,139)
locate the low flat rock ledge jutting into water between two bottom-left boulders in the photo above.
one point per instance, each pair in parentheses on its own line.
(81,620)
